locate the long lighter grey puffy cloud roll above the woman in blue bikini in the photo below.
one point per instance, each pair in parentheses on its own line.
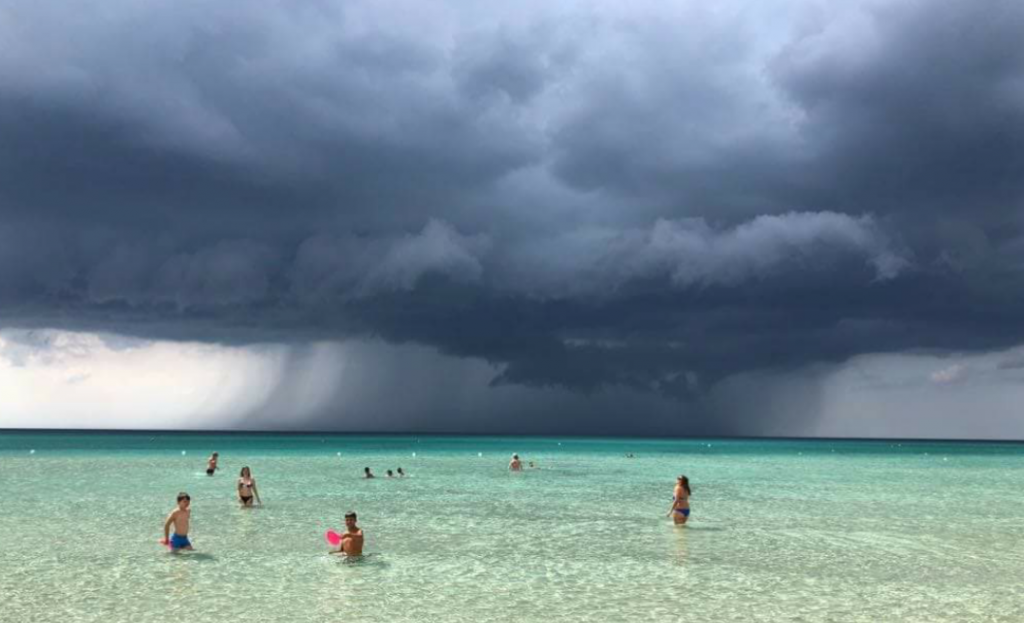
(692,254)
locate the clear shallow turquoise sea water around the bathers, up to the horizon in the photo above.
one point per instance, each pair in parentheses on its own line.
(781,531)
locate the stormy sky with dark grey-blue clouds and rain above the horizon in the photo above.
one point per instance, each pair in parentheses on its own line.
(739,218)
